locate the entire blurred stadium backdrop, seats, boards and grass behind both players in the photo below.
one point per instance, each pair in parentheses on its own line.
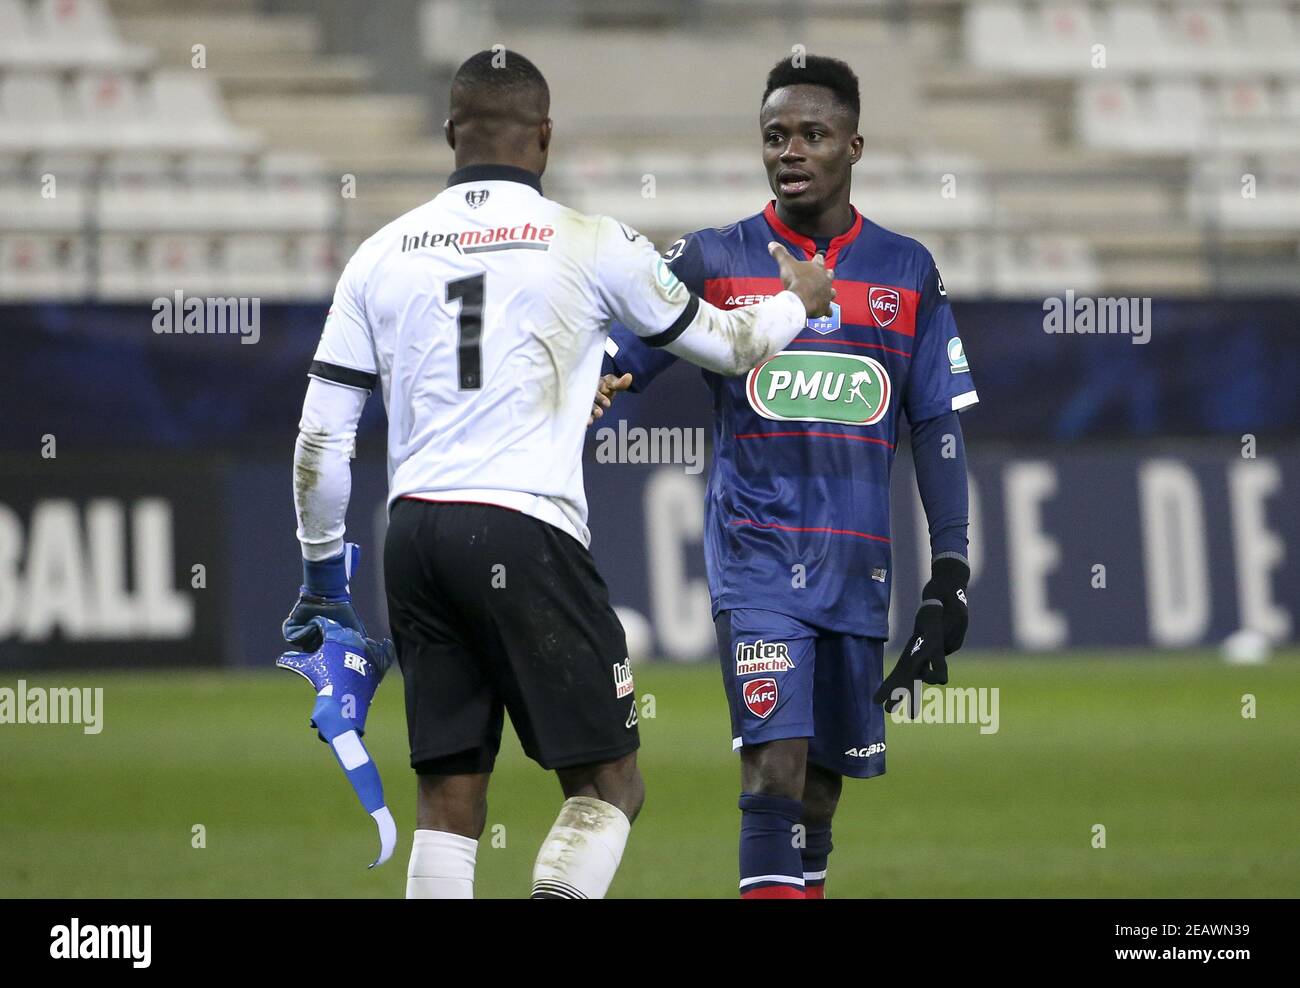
(242,149)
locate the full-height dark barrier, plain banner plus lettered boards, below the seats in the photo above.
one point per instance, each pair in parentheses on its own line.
(131,457)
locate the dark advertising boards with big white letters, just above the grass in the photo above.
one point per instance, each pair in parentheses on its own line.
(1107,547)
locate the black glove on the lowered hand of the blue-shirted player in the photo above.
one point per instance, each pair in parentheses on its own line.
(939,631)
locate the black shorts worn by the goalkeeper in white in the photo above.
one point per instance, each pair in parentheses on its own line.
(493,612)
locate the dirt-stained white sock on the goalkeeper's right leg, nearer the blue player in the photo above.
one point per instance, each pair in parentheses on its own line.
(582,852)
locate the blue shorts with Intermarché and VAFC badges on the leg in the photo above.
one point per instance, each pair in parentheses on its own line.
(788,679)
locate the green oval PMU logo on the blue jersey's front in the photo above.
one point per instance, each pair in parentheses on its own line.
(820,387)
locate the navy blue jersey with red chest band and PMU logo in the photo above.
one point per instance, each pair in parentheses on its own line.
(798,508)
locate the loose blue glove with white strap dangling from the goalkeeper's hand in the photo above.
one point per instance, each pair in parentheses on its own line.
(345,671)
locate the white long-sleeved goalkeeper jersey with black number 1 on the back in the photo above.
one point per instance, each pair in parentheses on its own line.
(483,315)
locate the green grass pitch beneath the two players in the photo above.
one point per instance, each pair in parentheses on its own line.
(1195,799)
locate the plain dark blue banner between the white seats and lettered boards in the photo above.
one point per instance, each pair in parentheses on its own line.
(102,375)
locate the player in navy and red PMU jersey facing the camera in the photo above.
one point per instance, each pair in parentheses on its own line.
(798,508)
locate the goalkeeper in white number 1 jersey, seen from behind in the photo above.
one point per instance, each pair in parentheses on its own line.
(483,317)
